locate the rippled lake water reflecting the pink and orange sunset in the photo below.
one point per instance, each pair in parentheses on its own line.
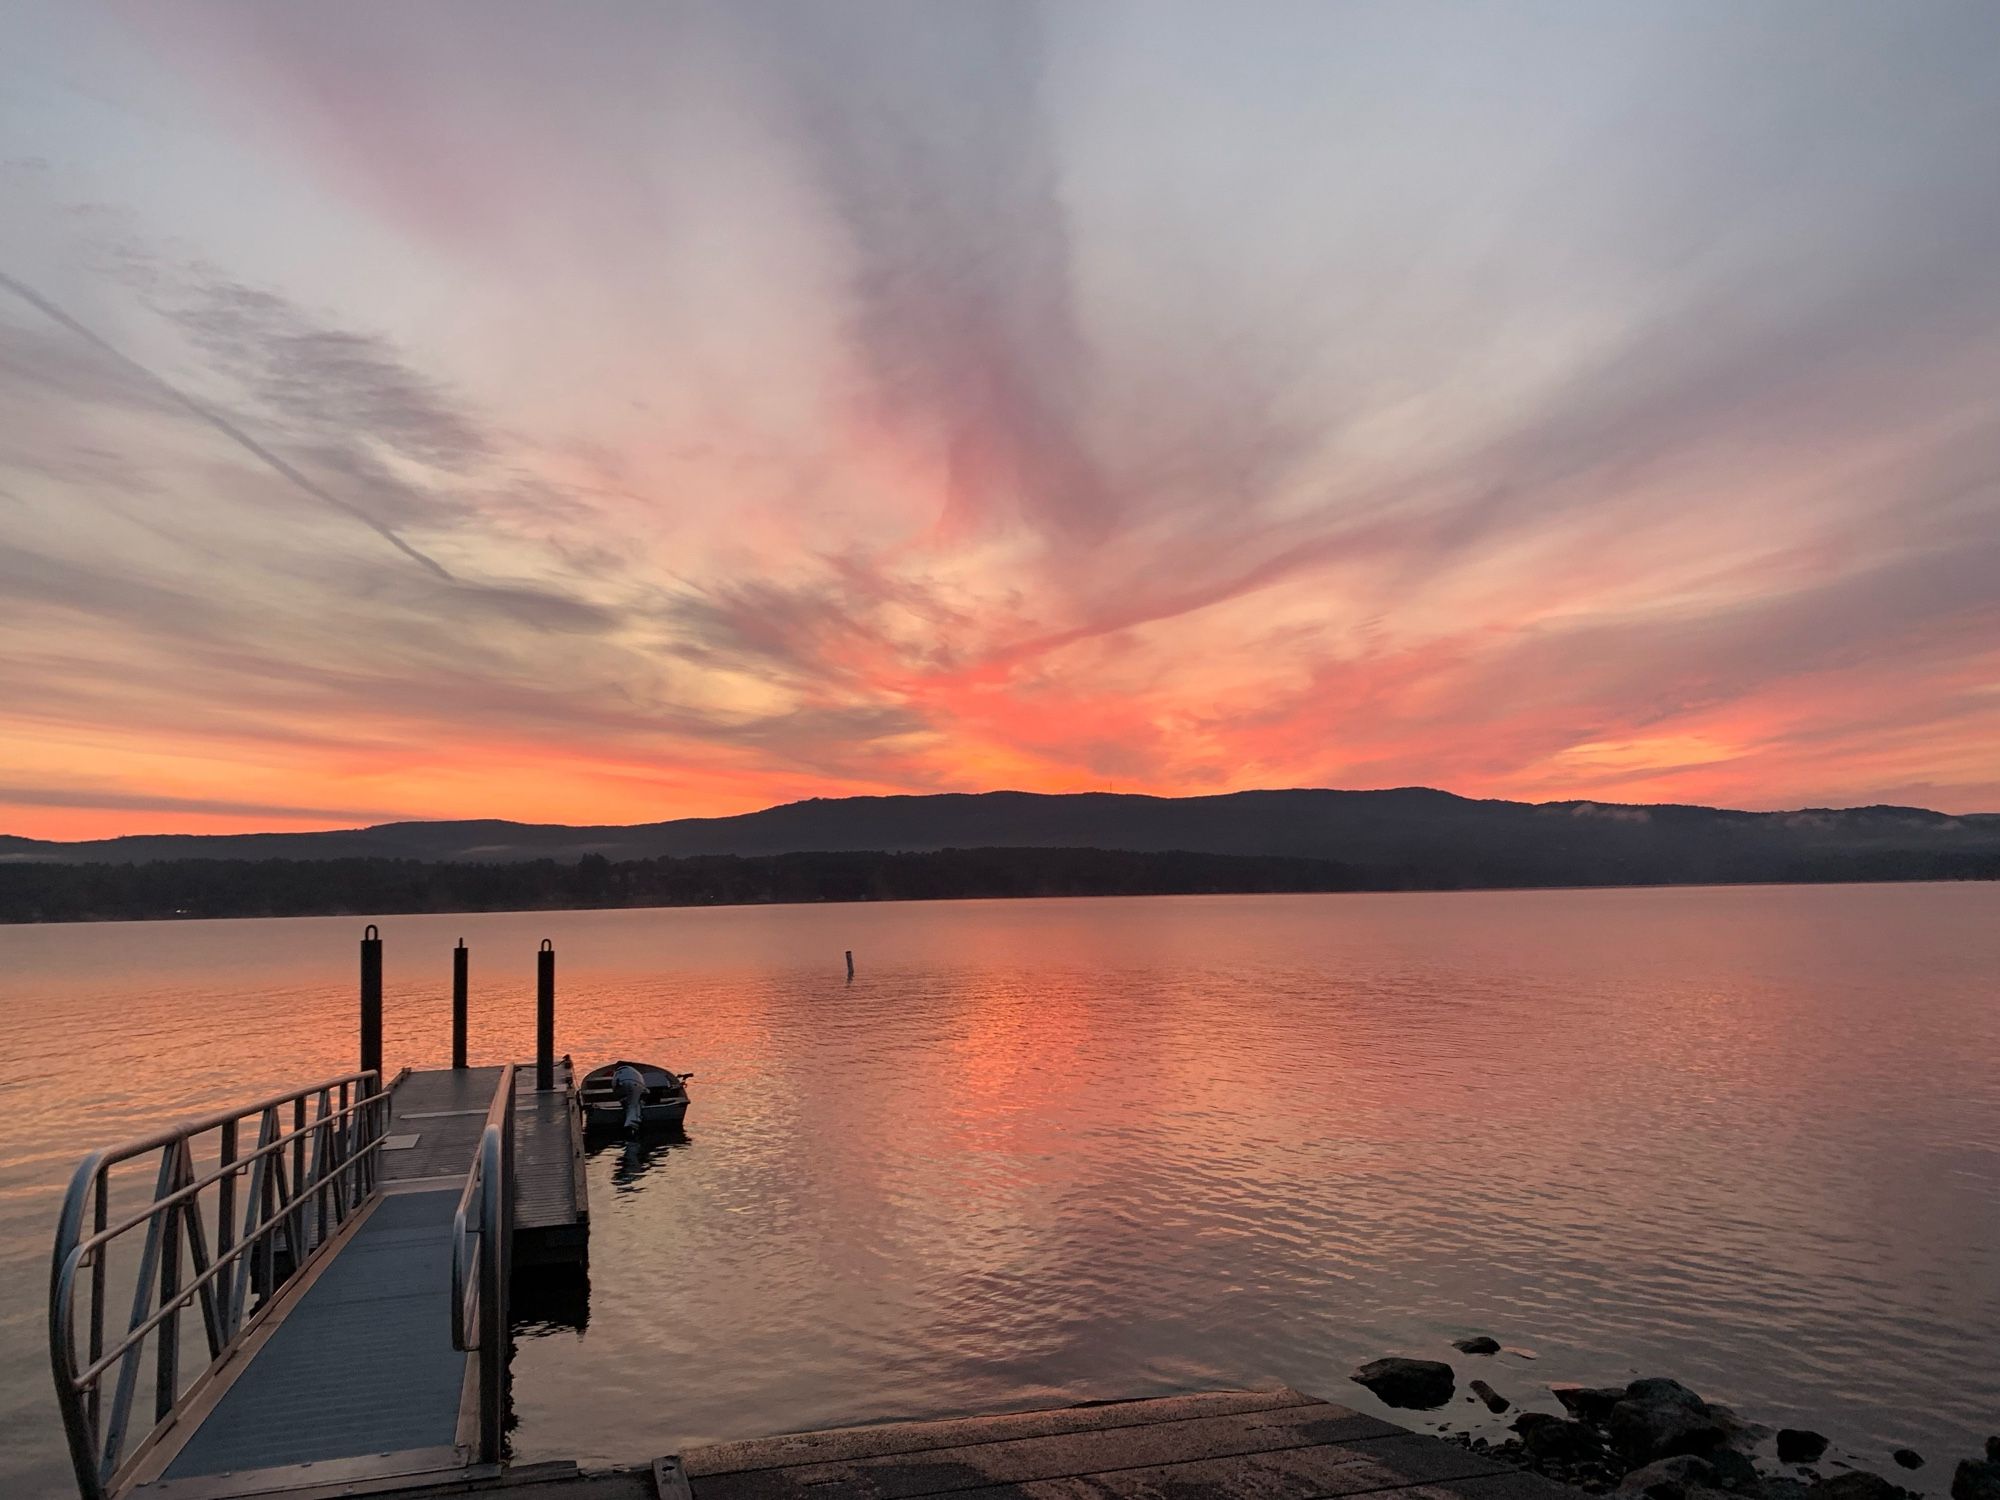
(1059,1151)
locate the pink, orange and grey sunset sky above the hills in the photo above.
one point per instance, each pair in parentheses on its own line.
(637,411)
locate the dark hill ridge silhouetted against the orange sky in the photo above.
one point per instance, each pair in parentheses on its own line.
(1401,839)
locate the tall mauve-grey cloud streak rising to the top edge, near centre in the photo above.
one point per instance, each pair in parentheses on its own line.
(933,149)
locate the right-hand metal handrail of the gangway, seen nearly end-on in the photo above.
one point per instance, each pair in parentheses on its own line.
(483,1263)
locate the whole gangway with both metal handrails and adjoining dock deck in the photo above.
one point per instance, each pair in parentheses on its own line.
(317,1285)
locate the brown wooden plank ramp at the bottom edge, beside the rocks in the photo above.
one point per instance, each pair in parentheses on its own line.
(1229,1445)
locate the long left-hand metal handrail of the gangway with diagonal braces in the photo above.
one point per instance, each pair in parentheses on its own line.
(299,1209)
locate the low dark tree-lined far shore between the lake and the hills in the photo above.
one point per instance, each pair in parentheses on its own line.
(185,891)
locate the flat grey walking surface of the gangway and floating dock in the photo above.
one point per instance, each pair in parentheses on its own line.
(355,1375)
